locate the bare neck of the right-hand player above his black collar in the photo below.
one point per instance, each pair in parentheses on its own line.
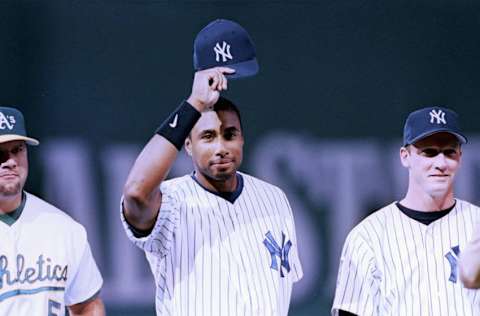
(424,202)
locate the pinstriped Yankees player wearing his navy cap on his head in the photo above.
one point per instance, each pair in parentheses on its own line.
(402,259)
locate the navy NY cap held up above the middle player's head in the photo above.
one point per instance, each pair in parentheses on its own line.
(224,43)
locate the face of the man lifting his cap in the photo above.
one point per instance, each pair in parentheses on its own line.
(216,145)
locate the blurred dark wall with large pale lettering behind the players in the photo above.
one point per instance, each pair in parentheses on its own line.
(323,119)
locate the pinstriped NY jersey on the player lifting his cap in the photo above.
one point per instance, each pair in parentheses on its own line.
(213,257)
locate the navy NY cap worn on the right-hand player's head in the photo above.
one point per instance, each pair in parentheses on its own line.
(431,120)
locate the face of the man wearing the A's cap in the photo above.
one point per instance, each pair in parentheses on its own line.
(13,167)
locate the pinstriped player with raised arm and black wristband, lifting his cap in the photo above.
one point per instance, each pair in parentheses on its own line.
(218,241)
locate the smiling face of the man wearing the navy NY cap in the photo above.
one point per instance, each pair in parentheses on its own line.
(433,163)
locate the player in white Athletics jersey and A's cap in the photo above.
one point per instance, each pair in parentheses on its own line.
(45,259)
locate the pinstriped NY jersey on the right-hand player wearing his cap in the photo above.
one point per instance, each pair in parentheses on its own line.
(392,264)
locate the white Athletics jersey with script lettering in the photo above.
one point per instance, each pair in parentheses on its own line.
(45,262)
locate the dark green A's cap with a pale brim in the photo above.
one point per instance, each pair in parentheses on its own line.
(12,126)
